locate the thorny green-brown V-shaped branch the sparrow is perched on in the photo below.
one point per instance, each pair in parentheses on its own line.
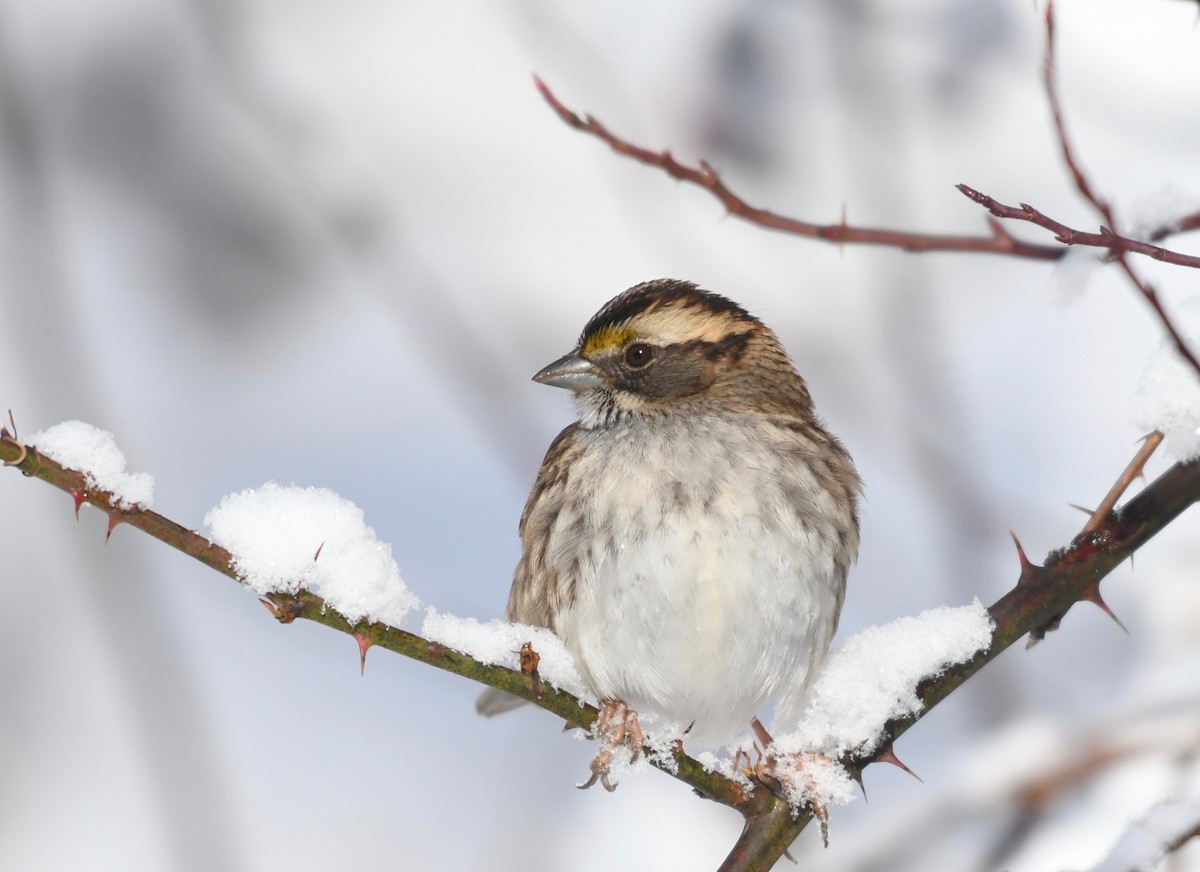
(1042,597)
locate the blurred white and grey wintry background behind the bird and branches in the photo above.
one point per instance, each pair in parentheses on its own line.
(328,245)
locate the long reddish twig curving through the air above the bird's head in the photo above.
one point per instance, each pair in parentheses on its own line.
(704,176)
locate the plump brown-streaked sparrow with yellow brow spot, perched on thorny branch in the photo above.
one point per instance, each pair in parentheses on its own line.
(689,537)
